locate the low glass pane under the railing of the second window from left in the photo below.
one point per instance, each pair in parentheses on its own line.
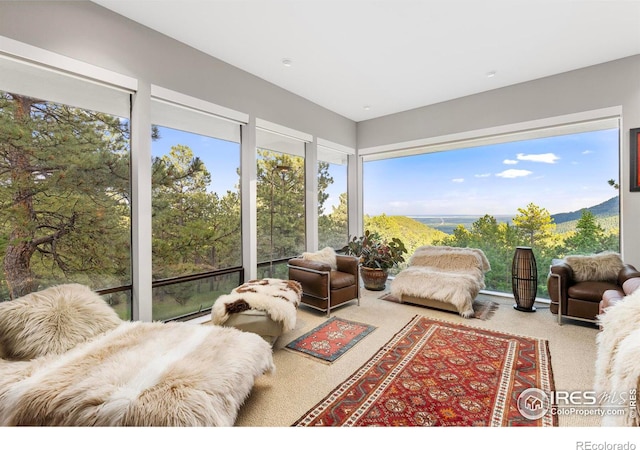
(190,297)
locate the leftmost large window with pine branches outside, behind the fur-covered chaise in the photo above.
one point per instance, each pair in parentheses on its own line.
(64,170)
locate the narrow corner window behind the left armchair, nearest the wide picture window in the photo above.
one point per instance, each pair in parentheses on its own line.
(333,223)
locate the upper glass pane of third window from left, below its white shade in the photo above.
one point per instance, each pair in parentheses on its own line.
(281,205)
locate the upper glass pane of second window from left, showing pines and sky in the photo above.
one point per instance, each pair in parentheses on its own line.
(196,204)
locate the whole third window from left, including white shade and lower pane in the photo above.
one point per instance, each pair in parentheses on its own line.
(280,202)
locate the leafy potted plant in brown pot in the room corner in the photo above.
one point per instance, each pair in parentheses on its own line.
(376,256)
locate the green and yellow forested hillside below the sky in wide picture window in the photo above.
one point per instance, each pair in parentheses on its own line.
(533,227)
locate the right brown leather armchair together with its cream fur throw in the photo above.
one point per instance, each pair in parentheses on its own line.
(577,283)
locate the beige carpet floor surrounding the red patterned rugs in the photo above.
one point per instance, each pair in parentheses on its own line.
(299,383)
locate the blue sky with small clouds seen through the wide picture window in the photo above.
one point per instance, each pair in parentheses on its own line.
(561,174)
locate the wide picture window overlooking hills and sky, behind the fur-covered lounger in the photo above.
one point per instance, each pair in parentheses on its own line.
(556,194)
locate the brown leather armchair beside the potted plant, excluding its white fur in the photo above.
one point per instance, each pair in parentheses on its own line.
(322,288)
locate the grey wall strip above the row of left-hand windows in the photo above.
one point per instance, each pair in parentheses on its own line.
(90,33)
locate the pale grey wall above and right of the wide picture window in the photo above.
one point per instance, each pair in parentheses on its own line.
(612,86)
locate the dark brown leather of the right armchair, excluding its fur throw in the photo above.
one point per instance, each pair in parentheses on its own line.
(580,300)
